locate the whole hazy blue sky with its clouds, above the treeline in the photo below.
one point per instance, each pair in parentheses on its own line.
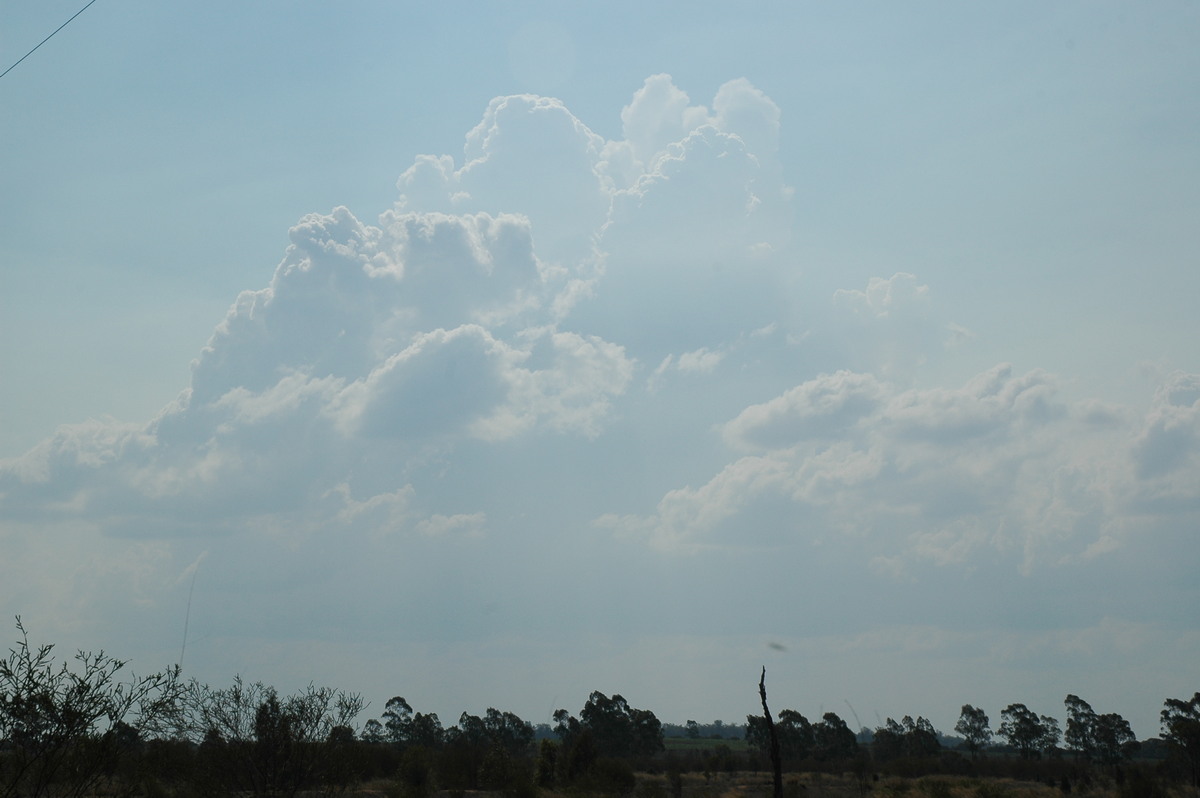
(491,355)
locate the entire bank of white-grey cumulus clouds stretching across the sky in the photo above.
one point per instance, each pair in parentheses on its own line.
(556,334)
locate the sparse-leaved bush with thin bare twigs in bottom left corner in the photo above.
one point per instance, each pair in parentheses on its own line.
(65,727)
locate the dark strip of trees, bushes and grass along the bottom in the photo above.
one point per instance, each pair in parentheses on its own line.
(83,729)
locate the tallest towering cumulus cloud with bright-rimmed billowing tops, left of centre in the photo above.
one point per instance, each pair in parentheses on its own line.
(506,296)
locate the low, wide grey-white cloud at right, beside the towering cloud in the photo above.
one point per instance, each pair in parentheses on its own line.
(935,476)
